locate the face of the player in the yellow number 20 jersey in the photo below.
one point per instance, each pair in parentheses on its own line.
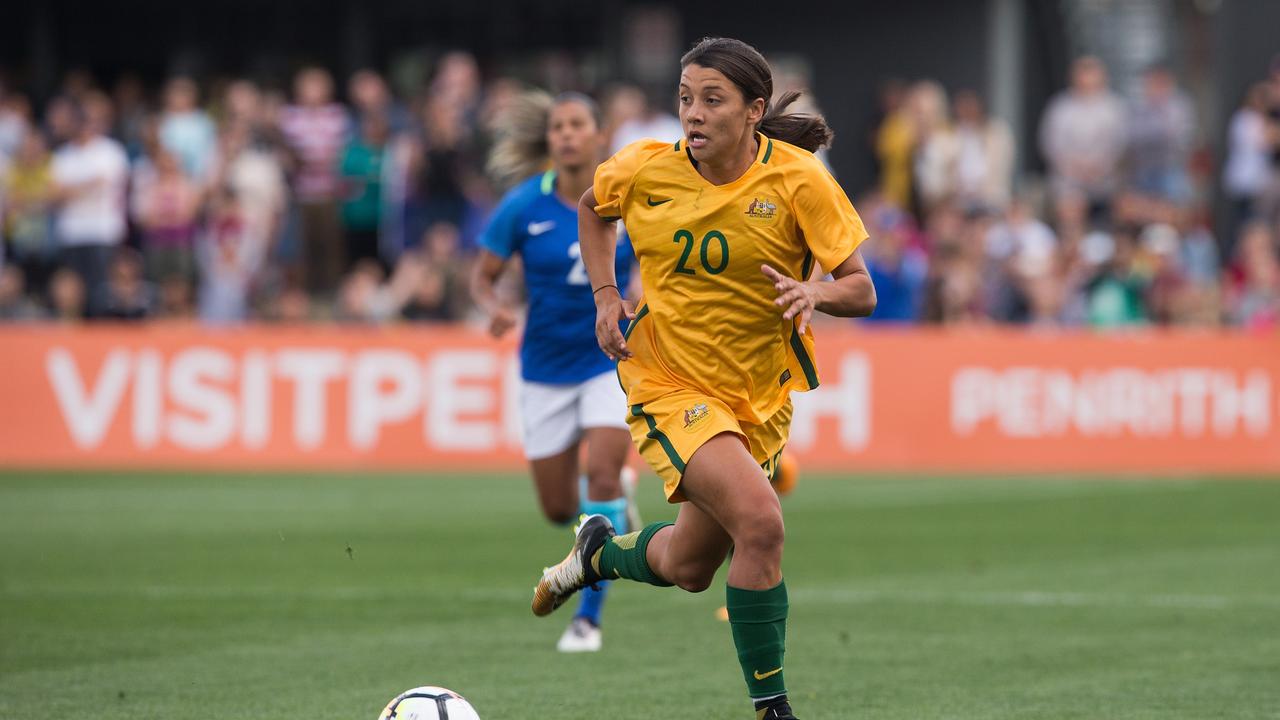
(716,119)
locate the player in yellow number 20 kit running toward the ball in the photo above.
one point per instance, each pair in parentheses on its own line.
(726,226)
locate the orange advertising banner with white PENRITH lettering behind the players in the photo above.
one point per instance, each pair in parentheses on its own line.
(422,399)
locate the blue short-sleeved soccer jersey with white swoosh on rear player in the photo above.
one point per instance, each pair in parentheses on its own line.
(560,336)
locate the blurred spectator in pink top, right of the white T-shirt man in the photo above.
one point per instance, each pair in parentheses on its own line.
(166,207)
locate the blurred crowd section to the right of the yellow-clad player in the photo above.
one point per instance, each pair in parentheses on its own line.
(1117,234)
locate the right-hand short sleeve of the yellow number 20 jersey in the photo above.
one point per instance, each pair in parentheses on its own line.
(831,227)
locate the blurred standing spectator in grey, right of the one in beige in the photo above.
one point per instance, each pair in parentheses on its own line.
(1162,125)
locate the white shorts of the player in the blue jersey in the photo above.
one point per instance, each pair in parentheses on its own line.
(554,417)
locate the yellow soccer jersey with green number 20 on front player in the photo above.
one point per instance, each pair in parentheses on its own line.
(707,318)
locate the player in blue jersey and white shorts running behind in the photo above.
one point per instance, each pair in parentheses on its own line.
(570,394)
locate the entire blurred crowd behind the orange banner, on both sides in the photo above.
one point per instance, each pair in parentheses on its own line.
(232,202)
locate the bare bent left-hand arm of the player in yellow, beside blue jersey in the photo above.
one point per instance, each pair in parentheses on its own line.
(600,243)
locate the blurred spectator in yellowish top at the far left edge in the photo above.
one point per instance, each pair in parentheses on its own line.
(28,192)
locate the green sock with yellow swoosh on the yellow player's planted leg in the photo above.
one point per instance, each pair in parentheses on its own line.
(760,623)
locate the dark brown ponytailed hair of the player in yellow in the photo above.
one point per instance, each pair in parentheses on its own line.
(749,71)
